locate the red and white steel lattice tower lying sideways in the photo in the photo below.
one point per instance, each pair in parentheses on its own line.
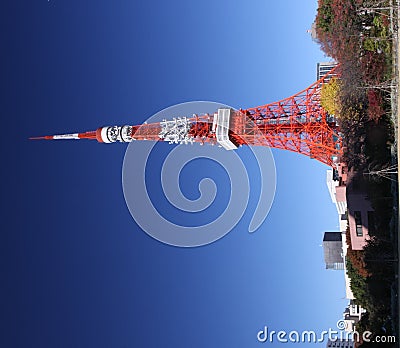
(298,123)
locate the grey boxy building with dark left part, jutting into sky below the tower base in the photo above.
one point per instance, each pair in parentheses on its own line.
(333,254)
